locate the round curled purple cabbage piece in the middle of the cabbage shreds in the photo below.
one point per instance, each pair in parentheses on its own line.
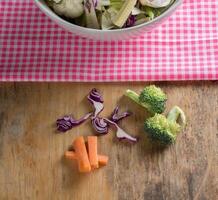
(100,125)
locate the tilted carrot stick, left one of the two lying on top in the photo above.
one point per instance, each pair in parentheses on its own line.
(81,154)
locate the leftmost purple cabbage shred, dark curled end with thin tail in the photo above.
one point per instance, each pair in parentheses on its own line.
(67,122)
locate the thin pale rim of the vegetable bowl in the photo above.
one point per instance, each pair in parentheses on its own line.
(57,18)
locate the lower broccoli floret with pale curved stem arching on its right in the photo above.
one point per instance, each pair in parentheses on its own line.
(164,130)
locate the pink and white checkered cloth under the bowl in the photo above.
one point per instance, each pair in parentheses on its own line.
(33,48)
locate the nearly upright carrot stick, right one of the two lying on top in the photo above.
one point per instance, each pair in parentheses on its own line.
(92,151)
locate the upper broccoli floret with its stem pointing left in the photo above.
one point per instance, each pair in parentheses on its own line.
(151,97)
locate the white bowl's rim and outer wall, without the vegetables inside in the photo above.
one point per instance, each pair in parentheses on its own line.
(107,35)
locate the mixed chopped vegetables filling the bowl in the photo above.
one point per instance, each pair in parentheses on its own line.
(109,14)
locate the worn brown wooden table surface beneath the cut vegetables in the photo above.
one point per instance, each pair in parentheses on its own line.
(31,152)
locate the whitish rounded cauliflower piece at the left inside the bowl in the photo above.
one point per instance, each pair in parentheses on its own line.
(69,8)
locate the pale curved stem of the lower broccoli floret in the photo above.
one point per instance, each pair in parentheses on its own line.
(175,113)
